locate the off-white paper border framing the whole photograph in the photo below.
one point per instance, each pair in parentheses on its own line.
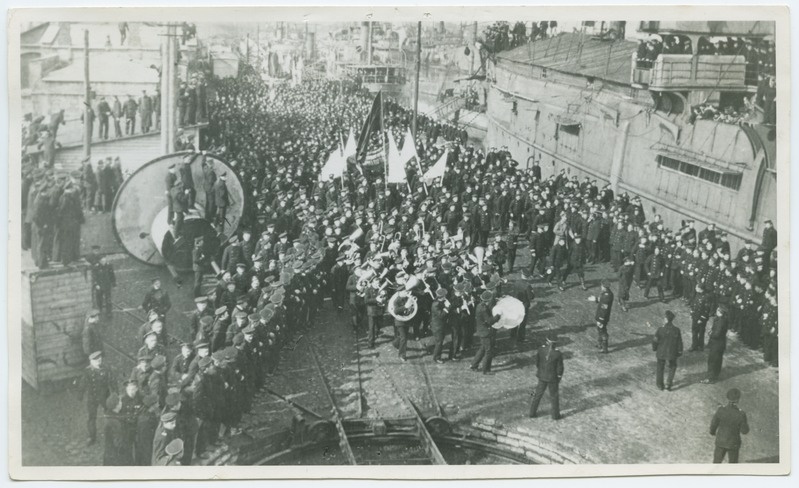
(779,14)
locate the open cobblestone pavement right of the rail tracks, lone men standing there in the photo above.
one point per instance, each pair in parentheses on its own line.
(610,404)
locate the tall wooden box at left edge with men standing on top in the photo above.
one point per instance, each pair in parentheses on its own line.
(54,306)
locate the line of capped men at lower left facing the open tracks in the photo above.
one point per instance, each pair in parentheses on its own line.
(210,384)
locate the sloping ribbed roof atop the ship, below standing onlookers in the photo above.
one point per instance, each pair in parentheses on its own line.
(578,54)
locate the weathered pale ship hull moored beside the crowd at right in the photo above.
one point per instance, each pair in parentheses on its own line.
(614,134)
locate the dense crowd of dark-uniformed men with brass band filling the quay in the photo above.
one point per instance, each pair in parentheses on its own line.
(423,255)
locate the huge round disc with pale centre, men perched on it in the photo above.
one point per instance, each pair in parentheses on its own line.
(140,211)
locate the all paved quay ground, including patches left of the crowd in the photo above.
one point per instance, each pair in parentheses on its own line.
(610,405)
